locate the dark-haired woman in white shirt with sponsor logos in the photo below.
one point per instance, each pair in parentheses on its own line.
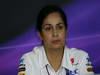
(53,57)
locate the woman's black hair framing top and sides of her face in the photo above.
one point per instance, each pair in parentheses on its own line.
(44,12)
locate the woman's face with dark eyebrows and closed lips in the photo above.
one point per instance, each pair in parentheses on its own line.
(53,31)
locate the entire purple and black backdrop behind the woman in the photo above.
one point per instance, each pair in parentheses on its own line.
(18,34)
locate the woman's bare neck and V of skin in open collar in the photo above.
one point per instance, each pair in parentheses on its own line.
(54,57)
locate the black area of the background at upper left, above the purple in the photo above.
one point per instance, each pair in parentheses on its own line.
(19,15)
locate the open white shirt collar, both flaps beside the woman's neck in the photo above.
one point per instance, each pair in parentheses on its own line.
(43,61)
